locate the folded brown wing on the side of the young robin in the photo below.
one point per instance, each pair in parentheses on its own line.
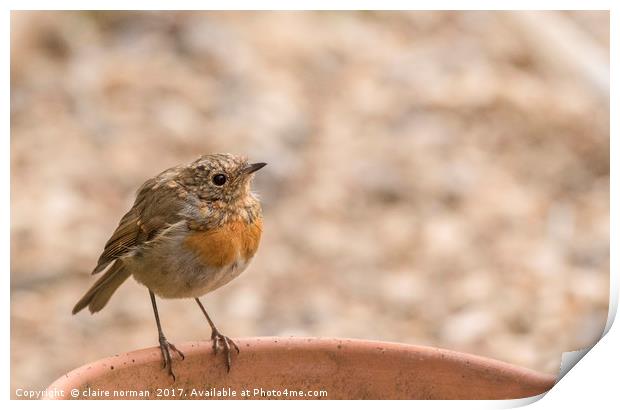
(152,212)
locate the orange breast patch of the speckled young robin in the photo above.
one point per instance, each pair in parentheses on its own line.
(222,246)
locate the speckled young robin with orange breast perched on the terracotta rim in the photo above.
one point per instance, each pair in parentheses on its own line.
(192,229)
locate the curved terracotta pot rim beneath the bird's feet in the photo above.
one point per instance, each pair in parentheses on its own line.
(343,368)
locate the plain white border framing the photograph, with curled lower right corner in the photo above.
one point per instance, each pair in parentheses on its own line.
(589,383)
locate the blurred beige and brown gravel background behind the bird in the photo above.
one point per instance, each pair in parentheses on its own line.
(432,179)
